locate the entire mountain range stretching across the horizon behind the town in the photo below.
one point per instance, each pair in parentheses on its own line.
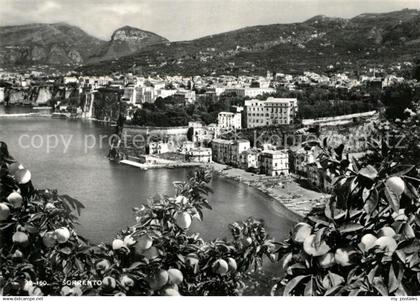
(315,44)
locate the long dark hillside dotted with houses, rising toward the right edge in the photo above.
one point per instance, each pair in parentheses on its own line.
(311,45)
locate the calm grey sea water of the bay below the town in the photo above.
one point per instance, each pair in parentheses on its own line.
(110,191)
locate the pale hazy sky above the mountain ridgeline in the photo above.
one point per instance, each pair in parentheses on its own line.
(184,19)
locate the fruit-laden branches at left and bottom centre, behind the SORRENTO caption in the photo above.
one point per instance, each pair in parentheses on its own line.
(41,253)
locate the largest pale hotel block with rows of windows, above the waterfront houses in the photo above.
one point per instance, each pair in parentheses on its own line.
(273,111)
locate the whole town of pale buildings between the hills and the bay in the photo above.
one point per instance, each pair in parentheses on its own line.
(244,122)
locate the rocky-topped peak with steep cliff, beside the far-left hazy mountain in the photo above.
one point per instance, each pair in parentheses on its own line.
(127,40)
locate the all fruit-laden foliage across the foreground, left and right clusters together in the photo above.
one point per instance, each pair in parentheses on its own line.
(365,241)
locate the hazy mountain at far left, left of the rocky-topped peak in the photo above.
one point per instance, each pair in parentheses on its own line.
(51,44)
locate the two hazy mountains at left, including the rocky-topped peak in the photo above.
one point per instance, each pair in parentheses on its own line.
(63,44)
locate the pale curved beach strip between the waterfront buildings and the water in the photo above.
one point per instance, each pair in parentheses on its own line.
(283,190)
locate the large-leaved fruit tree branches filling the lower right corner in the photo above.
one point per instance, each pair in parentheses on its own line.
(366,240)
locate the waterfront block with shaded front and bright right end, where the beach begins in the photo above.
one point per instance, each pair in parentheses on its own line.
(228,151)
